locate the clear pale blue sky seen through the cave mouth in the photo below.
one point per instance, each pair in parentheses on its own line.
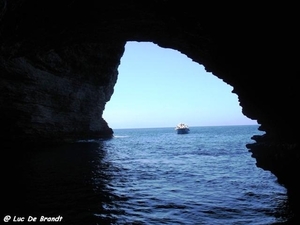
(159,87)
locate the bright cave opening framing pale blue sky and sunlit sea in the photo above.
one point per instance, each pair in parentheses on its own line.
(208,170)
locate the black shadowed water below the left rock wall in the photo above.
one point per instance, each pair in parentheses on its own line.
(70,181)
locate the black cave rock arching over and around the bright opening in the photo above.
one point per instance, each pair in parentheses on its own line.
(59,60)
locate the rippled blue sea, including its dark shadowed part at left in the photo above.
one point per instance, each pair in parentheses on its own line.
(145,176)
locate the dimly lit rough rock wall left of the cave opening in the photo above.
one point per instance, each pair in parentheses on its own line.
(58,96)
